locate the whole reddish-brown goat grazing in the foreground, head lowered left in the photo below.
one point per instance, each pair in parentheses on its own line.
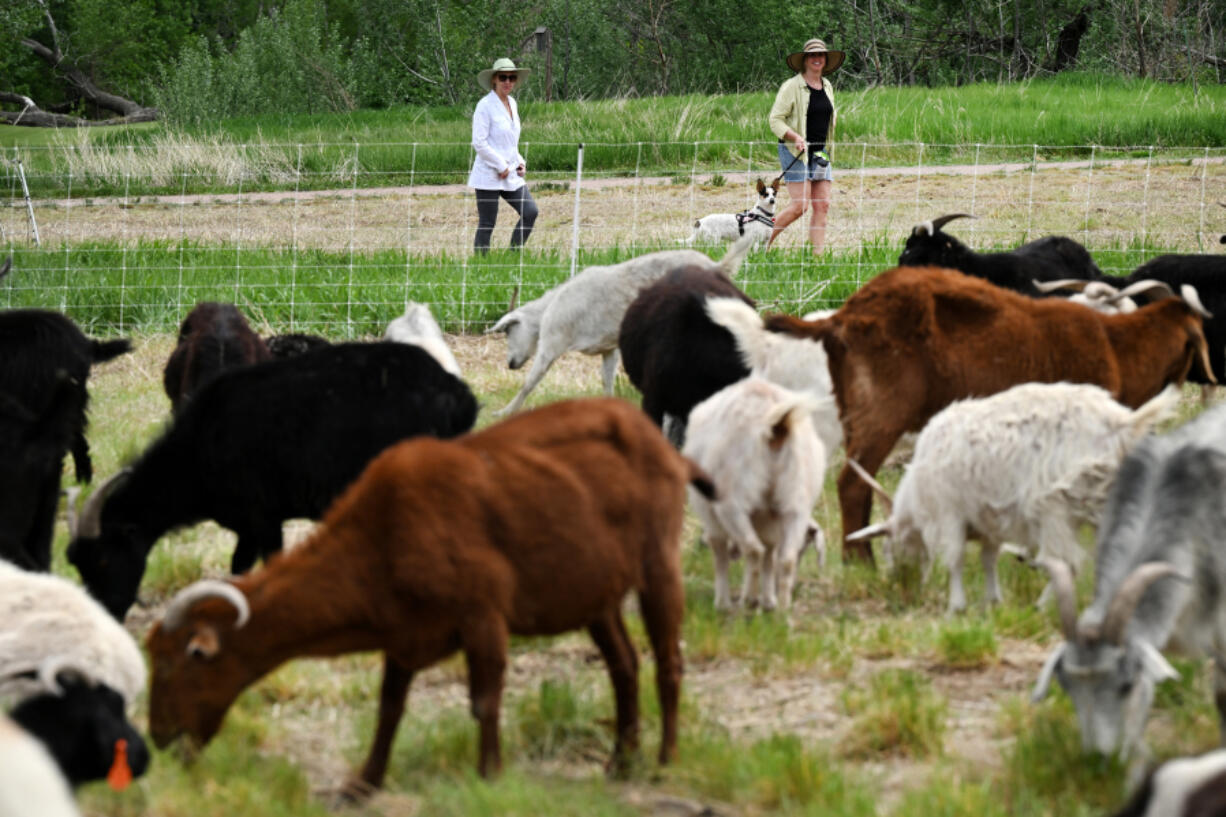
(534,527)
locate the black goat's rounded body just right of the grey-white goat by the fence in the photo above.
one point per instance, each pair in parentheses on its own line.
(672,351)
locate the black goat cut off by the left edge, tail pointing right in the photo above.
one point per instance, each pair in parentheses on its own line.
(45,365)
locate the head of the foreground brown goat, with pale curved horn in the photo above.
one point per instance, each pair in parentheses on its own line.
(197,673)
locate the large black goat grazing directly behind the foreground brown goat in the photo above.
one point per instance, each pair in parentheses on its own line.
(262,445)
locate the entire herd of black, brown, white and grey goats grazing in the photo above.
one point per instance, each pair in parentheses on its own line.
(1034,382)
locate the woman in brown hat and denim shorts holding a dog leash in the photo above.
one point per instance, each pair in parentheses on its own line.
(804,120)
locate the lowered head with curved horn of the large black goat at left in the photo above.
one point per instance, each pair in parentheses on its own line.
(109,555)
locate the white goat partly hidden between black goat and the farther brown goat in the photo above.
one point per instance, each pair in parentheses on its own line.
(795,364)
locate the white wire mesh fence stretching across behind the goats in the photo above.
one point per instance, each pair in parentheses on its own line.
(338,239)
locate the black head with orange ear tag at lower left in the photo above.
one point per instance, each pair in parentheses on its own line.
(82,728)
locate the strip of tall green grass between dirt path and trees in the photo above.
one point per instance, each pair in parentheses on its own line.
(658,136)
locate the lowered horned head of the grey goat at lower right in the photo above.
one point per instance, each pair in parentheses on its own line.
(1109,675)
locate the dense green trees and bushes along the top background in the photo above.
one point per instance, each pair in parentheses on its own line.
(202,61)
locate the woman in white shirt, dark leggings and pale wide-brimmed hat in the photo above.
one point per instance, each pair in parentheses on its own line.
(498,169)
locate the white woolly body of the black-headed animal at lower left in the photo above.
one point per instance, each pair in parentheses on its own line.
(51,624)
